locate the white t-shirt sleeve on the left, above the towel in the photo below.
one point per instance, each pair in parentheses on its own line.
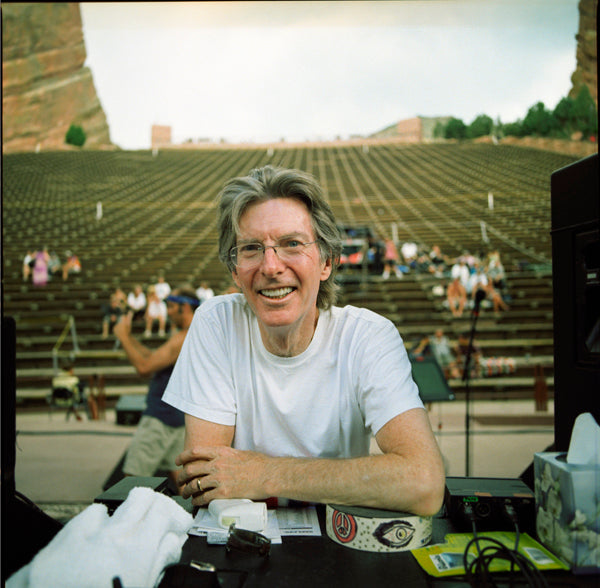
(201,384)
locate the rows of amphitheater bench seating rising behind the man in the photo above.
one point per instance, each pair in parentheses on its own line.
(159,216)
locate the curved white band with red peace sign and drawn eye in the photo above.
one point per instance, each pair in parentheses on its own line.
(369,529)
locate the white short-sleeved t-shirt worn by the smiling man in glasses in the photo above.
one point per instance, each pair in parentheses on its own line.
(352,379)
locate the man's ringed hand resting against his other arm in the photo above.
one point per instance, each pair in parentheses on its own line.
(221,472)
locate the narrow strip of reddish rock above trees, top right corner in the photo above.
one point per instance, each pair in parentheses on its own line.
(586,72)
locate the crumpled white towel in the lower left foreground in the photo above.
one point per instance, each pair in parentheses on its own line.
(144,534)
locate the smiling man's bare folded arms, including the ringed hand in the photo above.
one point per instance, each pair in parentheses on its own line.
(409,476)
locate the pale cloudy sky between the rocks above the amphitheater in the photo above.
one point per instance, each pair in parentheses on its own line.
(256,71)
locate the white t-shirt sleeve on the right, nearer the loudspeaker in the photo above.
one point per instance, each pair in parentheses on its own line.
(384,373)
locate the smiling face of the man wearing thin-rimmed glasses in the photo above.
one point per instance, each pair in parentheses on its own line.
(282,294)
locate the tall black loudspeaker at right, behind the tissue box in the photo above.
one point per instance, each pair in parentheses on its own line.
(576,288)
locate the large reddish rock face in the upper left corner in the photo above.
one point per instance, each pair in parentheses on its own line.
(46,87)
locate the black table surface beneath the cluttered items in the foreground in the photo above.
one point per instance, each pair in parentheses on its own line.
(319,561)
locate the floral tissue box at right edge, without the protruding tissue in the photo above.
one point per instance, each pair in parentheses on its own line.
(567,498)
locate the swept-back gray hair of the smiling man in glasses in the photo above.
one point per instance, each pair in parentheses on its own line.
(270,182)
